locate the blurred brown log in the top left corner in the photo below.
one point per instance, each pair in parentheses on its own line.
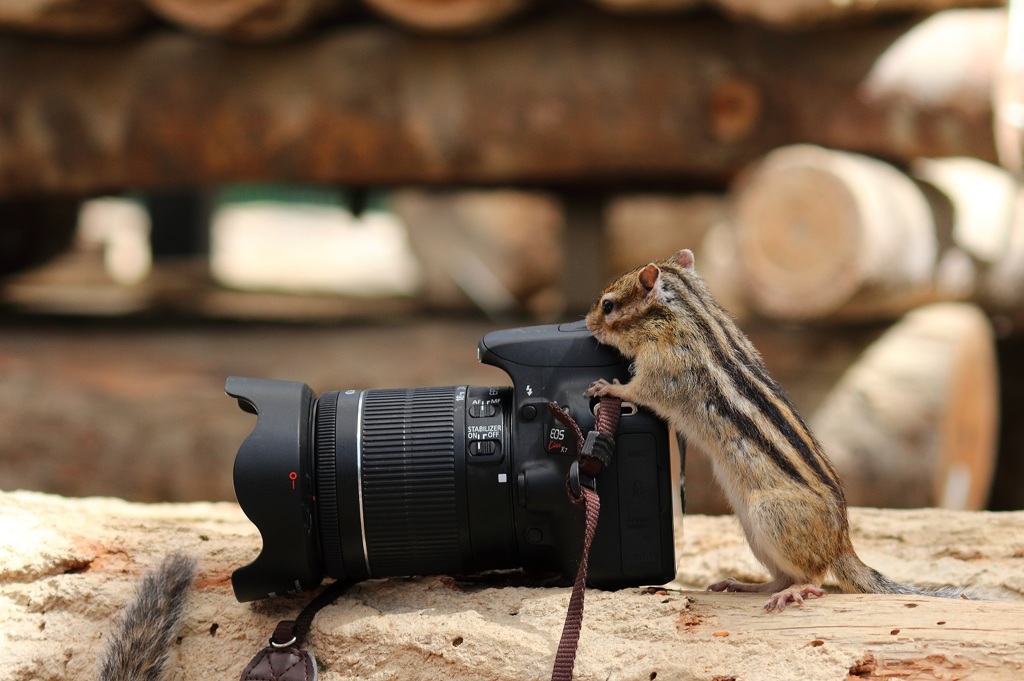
(79,19)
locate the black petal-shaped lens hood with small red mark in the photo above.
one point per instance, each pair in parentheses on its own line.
(274,484)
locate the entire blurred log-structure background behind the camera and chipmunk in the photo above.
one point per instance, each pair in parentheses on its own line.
(849,175)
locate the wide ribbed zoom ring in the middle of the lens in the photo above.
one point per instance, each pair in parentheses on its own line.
(409,487)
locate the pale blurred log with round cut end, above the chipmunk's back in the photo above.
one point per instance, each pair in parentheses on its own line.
(823,233)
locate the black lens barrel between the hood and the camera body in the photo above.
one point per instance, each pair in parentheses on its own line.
(394,472)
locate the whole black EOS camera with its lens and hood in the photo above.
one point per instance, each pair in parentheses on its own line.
(454,480)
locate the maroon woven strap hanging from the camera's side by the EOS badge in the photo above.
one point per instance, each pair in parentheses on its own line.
(595,453)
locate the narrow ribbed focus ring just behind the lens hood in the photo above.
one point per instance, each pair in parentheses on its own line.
(327,482)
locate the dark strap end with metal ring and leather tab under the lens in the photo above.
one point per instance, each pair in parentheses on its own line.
(284,659)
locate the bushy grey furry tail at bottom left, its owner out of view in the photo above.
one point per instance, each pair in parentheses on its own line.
(142,636)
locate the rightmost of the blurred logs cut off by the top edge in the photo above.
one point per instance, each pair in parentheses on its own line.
(806,14)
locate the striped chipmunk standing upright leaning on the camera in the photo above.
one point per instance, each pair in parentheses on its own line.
(695,368)
